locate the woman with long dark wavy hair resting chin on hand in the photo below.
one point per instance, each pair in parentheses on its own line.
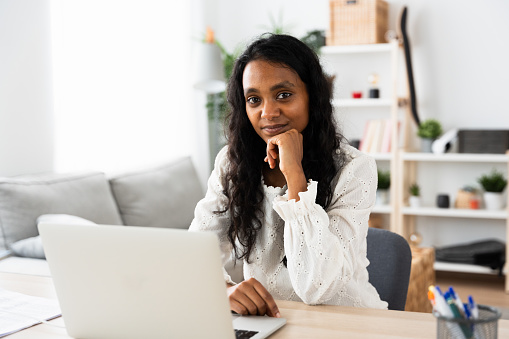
(287,195)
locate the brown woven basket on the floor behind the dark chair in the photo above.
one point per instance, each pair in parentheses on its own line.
(422,276)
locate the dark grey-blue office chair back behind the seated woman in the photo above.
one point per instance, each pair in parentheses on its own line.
(389,269)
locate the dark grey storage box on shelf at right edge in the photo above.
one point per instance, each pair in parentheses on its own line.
(483,141)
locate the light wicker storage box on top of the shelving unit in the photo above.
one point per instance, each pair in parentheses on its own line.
(357,22)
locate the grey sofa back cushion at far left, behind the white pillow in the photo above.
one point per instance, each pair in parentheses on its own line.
(24,198)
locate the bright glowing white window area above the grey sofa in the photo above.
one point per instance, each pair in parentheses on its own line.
(122,90)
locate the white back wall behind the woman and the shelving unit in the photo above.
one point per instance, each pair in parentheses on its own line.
(460,54)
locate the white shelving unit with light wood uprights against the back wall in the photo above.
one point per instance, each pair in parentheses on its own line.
(404,164)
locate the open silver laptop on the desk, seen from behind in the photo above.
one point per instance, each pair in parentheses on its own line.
(140,282)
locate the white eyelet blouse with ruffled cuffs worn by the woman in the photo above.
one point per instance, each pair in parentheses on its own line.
(325,250)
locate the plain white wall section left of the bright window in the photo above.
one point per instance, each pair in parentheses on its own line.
(26,129)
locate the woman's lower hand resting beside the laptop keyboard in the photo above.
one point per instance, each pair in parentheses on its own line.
(250,297)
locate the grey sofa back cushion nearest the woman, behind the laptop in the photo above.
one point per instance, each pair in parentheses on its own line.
(164,196)
